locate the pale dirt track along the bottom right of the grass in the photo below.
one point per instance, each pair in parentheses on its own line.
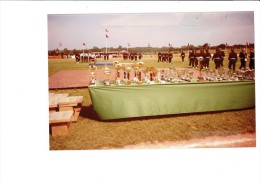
(242,140)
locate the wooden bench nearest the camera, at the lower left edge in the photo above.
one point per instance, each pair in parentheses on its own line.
(60,122)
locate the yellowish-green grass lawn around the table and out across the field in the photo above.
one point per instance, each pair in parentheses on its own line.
(90,133)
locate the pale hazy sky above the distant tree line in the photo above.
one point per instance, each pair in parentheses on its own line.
(156,29)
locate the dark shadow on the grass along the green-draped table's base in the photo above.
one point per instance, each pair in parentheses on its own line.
(90,114)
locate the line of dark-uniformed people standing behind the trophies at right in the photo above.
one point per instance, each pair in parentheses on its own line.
(201,58)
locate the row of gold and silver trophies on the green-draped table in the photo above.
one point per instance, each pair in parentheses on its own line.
(163,75)
